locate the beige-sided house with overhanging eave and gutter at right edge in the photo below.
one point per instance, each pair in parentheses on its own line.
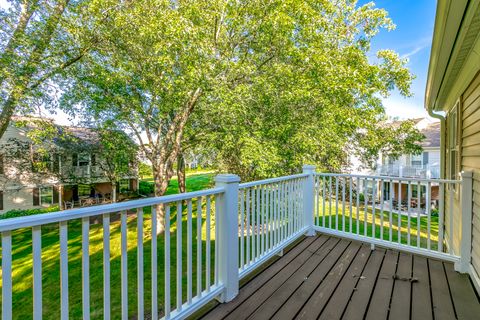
(453,95)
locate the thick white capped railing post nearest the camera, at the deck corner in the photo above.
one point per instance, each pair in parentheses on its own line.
(227,243)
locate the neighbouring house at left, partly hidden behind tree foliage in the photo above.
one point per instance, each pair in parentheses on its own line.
(67,180)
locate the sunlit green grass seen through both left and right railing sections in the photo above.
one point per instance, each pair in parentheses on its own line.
(22,257)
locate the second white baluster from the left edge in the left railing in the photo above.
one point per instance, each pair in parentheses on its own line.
(37,272)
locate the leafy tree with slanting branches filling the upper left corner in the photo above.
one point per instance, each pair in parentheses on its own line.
(40,39)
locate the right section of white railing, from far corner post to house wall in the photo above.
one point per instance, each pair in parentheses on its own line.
(402,213)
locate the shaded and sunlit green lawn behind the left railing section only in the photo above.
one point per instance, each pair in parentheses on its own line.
(22,262)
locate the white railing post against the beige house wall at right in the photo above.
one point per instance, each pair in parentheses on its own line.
(466,227)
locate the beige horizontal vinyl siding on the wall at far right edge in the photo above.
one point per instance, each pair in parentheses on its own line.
(470,157)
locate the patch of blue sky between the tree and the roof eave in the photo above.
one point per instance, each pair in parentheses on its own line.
(412,39)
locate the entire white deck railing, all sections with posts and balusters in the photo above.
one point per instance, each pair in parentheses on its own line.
(221,235)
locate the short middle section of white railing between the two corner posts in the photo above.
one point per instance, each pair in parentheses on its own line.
(271,216)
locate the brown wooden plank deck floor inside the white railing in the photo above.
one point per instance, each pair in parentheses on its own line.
(325,277)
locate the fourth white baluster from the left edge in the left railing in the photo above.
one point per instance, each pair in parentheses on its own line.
(86,267)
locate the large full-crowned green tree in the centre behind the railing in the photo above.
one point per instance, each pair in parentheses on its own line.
(269,85)
